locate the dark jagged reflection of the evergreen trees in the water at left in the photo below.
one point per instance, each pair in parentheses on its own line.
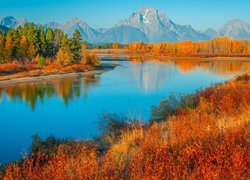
(66,89)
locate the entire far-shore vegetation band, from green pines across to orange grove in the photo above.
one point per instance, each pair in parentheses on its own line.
(32,51)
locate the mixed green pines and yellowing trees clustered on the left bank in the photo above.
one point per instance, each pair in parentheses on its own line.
(33,43)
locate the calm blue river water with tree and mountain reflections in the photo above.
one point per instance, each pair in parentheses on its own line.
(72,107)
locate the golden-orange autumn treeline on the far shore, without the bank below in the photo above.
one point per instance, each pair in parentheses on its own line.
(221,46)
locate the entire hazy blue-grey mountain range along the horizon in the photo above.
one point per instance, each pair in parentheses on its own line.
(148,25)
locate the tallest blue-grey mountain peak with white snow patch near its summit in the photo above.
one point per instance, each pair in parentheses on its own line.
(159,28)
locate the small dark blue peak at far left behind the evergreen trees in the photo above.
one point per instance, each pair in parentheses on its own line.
(12,22)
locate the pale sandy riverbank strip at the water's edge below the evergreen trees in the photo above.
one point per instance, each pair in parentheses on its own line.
(16,79)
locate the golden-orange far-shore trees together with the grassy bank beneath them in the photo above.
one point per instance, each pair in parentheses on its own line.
(221,48)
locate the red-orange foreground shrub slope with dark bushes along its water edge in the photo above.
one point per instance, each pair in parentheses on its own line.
(204,134)
